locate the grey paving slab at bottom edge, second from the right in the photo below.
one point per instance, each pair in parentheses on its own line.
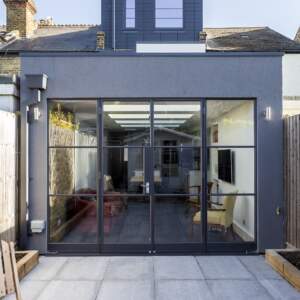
(238,290)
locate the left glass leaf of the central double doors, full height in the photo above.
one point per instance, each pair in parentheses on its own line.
(125,169)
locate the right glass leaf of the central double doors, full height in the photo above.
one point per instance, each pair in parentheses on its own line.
(177,173)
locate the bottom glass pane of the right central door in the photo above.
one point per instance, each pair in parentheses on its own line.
(174,220)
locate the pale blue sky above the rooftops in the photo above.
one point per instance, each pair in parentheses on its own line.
(281,15)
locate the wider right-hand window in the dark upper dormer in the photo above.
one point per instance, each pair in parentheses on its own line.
(168,13)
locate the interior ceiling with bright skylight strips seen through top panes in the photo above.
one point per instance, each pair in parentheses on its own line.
(137,114)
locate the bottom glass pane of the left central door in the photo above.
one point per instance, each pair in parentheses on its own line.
(126,220)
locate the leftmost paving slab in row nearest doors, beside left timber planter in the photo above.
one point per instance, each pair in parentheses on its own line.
(47,268)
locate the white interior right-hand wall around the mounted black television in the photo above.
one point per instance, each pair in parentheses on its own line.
(232,132)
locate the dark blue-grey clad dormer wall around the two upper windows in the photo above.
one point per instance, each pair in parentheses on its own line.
(145,24)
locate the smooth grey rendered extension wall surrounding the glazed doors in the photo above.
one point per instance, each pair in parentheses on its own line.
(208,75)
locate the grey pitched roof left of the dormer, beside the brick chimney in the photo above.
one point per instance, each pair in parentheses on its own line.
(58,38)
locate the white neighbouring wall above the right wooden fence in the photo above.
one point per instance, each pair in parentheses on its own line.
(291,84)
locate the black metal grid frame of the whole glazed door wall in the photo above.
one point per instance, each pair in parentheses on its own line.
(152,248)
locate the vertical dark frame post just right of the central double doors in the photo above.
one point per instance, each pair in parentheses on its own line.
(204,174)
